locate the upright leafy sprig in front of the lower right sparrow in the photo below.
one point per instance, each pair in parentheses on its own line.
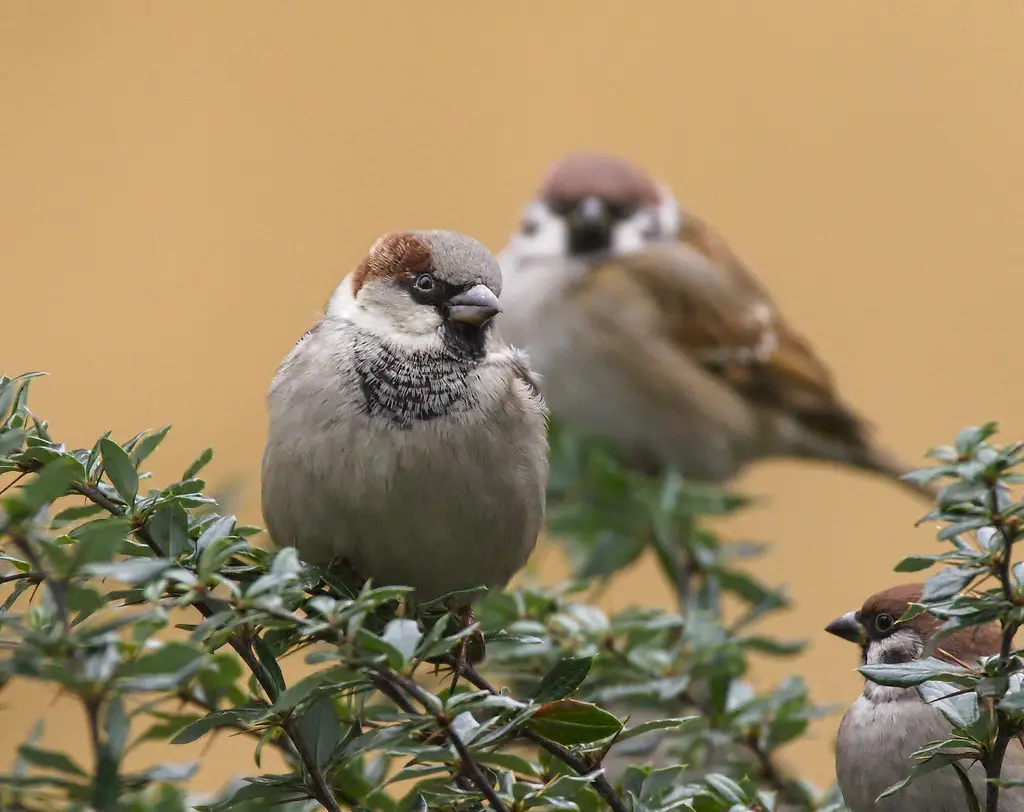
(980,524)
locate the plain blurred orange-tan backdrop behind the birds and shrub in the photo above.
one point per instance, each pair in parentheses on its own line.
(183,185)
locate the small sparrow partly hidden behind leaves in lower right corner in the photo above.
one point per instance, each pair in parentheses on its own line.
(885,726)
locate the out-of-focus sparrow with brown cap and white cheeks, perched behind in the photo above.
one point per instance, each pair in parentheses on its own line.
(648,330)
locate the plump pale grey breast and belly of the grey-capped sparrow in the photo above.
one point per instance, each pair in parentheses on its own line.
(421,472)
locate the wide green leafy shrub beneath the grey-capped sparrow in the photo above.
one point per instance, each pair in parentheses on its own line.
(100,572)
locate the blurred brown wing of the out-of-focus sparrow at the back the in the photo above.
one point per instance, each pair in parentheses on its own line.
(718,313)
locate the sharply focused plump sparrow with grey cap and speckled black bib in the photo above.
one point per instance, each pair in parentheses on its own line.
(406,440)
